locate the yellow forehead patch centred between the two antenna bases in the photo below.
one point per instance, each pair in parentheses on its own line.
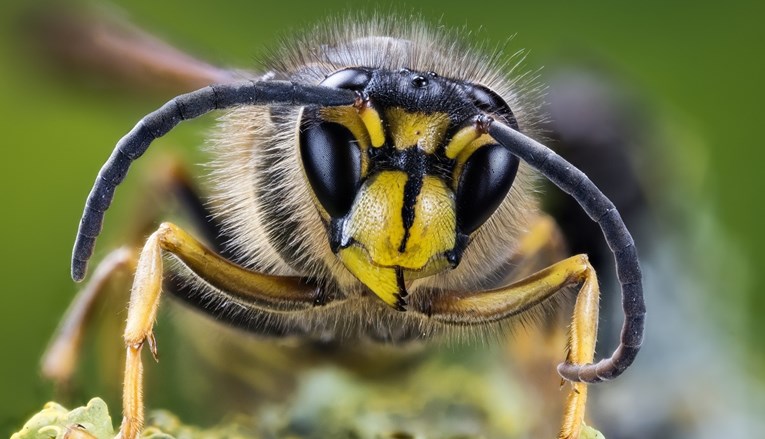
(426,131)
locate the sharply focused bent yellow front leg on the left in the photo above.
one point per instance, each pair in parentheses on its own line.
(268,292)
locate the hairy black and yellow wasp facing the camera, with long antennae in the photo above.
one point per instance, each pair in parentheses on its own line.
(375,183)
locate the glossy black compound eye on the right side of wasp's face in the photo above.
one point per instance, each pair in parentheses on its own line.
(485,180)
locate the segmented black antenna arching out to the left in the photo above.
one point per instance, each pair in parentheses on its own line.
(161,121)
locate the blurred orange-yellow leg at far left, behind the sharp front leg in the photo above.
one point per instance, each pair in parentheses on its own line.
(60,358)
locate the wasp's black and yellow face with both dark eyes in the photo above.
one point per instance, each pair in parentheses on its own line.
(406,174)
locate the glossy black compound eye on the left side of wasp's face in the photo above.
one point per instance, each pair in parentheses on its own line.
(332,163)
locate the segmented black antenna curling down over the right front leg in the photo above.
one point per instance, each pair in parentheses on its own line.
(601,210)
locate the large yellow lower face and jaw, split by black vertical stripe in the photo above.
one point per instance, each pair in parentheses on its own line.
(376,227)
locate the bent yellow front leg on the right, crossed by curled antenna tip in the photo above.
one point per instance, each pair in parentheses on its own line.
(497,304)
